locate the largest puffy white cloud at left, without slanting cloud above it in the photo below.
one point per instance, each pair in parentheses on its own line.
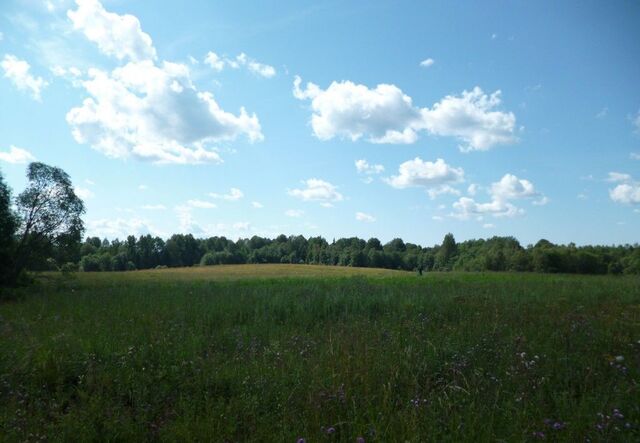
(155,113)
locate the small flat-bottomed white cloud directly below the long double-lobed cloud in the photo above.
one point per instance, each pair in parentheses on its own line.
(426,174)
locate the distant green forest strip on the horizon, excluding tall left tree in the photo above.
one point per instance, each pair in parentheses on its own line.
(494,254)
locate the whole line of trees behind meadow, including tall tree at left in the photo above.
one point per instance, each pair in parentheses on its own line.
(42,229)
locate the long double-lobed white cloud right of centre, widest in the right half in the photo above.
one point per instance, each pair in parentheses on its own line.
(386,115)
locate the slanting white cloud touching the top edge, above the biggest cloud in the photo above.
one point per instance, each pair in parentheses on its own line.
(116,35)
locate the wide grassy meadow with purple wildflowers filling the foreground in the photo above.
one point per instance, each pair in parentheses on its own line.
(279,353)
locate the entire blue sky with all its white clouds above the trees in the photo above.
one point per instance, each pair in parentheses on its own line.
(367,118)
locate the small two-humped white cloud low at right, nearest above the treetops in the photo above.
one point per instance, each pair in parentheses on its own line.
(502,193)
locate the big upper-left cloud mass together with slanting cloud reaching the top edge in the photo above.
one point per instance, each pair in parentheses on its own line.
(146,109)
